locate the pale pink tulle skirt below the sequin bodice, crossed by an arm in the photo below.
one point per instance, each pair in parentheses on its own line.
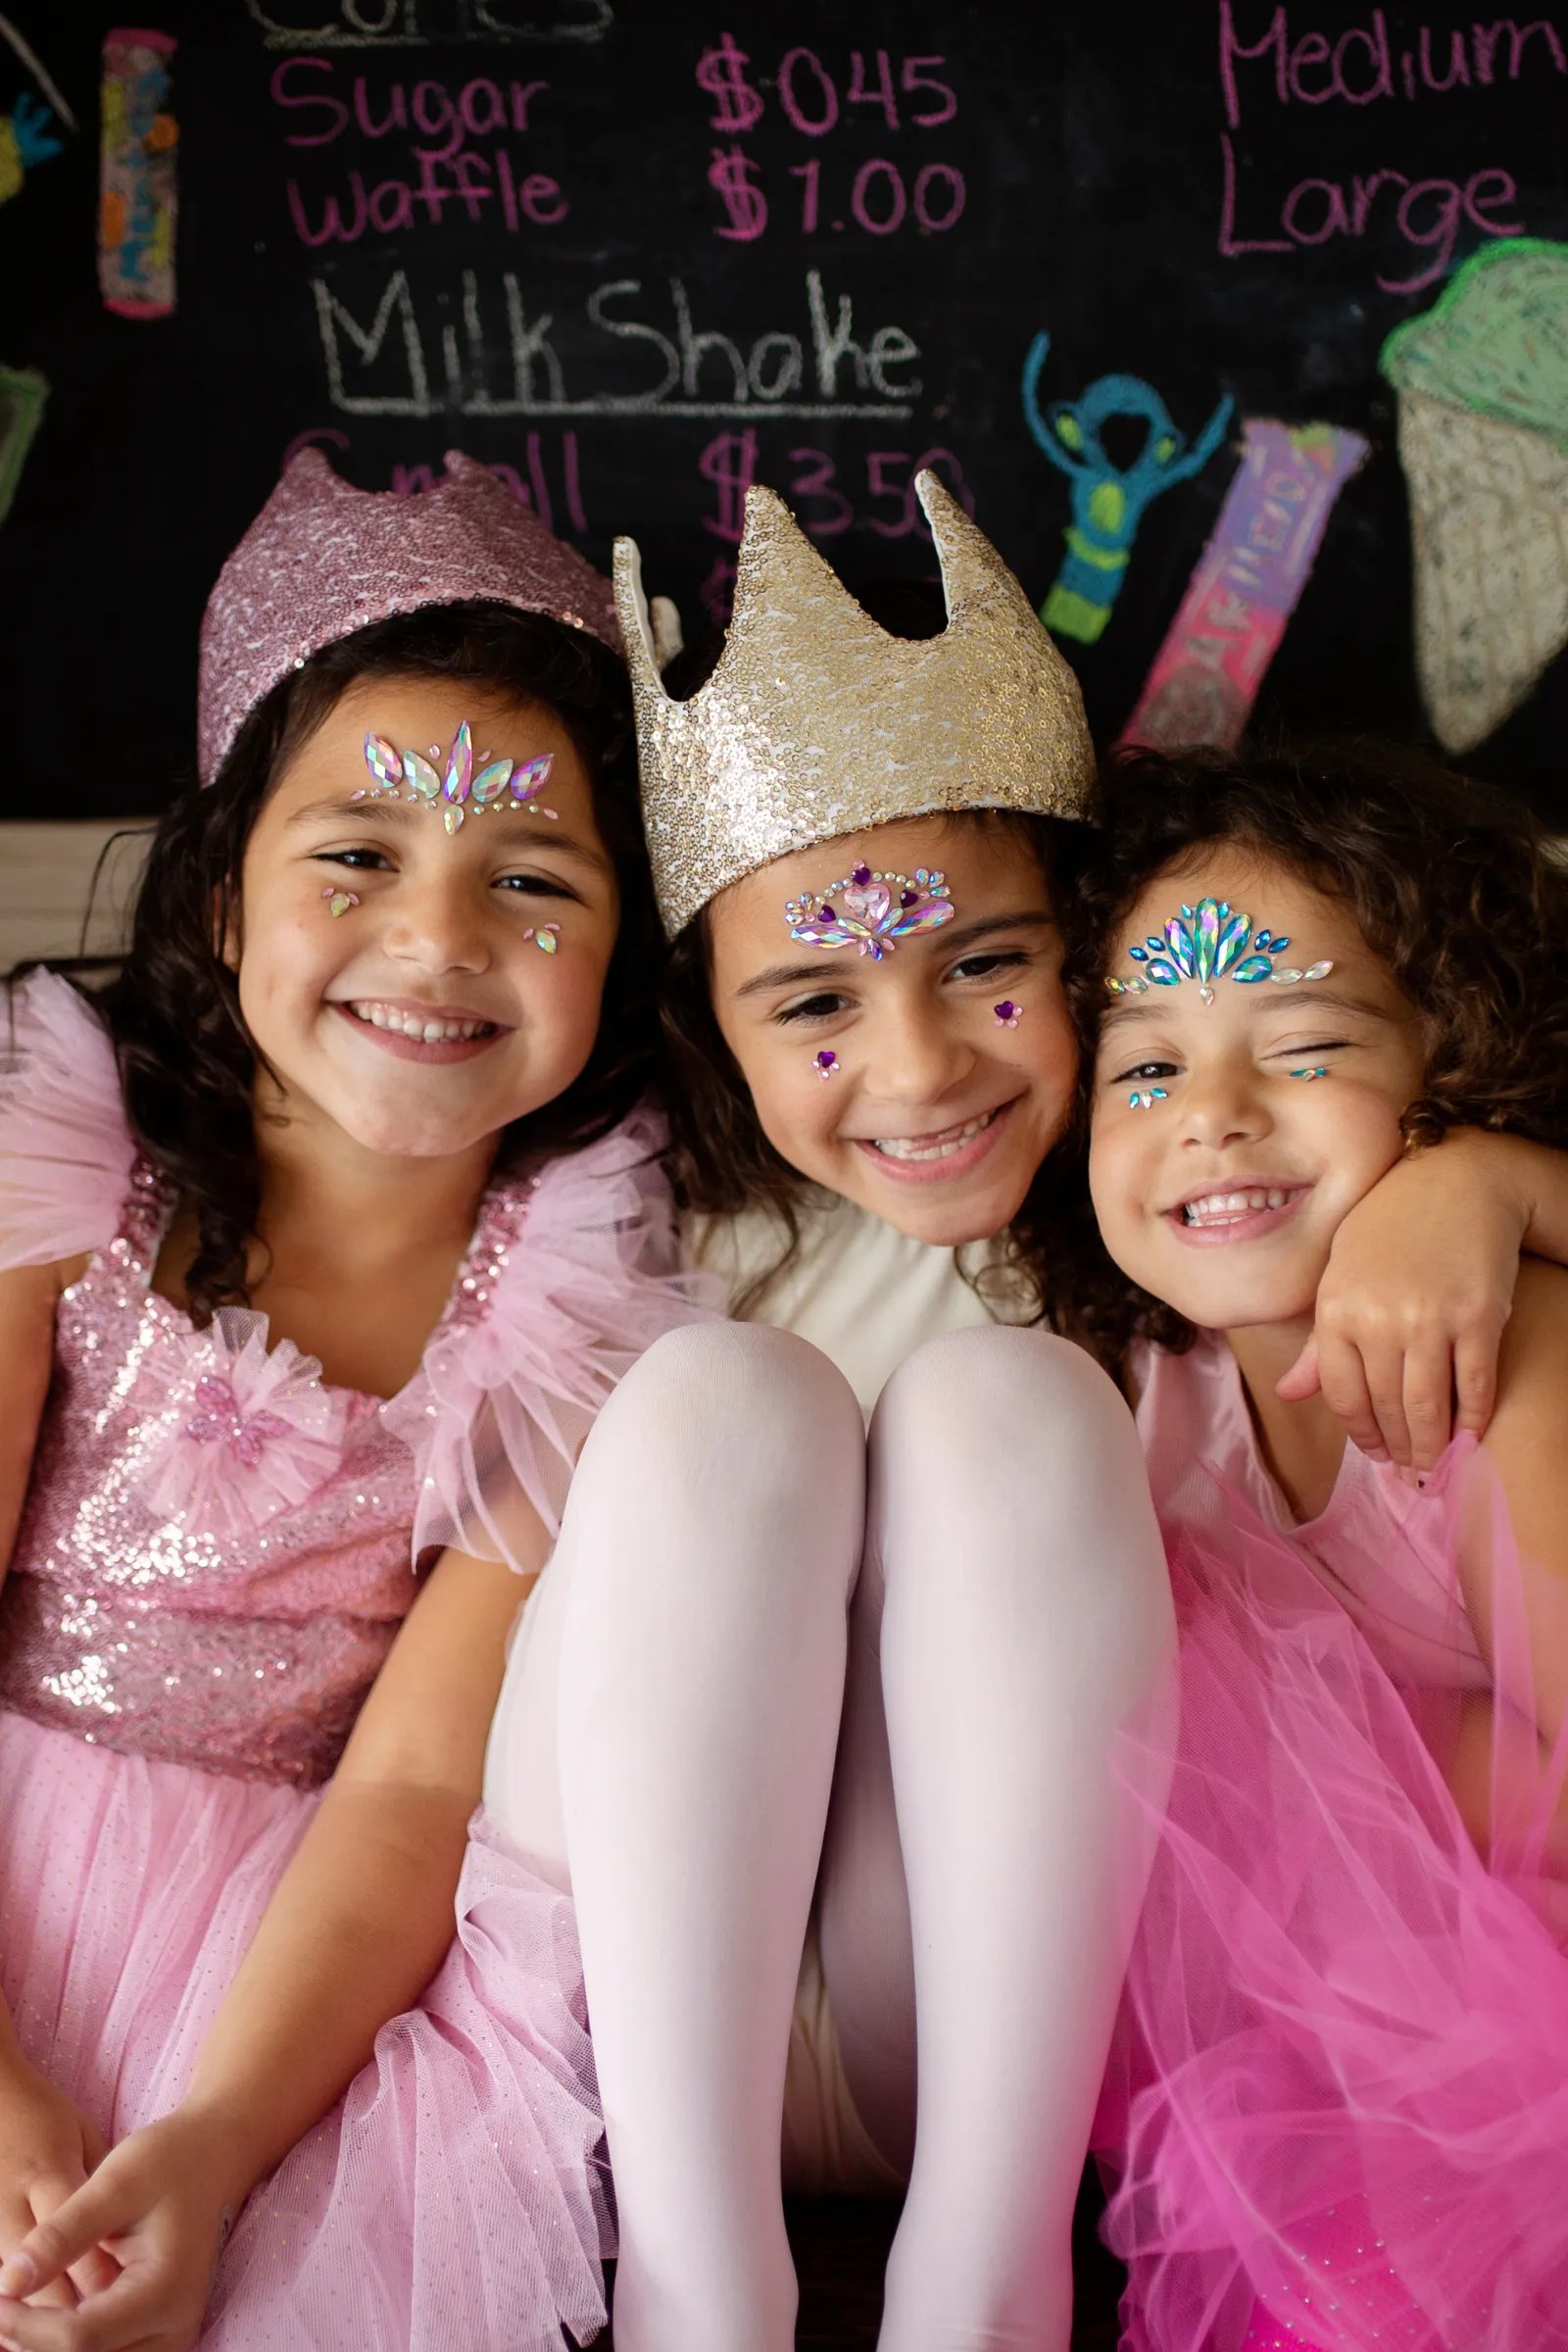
(455,2198)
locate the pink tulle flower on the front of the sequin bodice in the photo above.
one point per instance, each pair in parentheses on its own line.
(255,1431)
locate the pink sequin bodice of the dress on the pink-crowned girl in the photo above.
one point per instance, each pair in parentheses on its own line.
(243,1652)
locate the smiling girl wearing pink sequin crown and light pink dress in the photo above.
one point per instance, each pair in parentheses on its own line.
(328,1229)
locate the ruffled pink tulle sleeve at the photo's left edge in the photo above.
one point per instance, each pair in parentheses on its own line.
(65,1149)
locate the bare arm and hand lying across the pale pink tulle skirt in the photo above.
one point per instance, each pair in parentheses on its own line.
(354,1935)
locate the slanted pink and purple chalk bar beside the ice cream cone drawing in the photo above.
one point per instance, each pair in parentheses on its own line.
(1245,587)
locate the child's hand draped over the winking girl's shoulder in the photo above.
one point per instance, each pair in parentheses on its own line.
(1414,1302)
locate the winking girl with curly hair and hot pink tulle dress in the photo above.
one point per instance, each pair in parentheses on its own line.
(1339,2104)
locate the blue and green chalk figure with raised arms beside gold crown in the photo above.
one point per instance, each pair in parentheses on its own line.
(1108,502)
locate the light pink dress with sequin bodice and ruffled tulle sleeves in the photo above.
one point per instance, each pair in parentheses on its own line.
(215,1558)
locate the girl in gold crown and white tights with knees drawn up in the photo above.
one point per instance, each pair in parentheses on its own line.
(862,1737)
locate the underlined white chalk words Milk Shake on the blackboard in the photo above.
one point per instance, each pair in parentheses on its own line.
(384,366)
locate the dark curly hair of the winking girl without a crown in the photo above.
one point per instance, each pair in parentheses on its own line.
(1454,886)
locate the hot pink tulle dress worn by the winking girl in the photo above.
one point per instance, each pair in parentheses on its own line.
(1339,2102)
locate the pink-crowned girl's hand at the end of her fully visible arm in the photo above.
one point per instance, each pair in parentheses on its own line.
(156,2217)
